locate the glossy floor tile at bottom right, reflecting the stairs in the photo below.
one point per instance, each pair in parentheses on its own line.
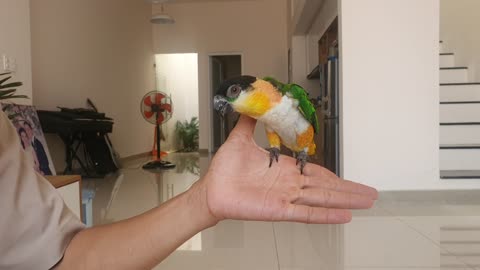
(449,219)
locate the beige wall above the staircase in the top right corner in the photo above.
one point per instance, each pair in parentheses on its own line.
(459,23)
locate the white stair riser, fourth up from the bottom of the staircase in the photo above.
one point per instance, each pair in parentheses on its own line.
(460,92)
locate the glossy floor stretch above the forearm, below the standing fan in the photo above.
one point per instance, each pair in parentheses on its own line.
(133,190)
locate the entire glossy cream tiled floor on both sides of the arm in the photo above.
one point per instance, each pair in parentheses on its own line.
(405,230)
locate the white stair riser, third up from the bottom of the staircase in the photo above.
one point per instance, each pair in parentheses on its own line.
(460,112)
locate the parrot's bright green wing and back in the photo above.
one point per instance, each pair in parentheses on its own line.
(305,106)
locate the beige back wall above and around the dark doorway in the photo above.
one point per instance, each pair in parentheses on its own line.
(215,27)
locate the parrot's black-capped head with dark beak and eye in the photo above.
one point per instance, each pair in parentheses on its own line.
(230,90)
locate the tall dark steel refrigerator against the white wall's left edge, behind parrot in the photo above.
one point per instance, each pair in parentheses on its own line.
(329,112)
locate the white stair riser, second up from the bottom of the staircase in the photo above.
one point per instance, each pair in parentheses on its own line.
(459,134)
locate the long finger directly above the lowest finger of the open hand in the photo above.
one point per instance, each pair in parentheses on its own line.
(333,199)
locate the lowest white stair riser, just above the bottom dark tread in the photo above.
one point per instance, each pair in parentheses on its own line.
(467,158)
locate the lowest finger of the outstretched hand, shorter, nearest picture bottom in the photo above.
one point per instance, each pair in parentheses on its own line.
(317,215)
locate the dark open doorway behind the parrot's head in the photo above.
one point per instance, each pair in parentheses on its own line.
(222,67)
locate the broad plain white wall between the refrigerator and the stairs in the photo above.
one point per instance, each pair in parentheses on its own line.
(390,94)
